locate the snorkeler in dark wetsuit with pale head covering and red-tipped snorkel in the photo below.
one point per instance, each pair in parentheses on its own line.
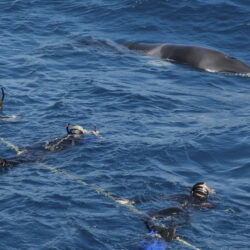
(37,152)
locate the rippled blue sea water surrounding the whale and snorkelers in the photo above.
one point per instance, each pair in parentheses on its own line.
(163,126)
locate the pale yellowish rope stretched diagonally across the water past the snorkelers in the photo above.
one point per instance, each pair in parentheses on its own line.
(94,187)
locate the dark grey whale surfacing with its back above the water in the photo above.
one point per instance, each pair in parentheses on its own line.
(197,57)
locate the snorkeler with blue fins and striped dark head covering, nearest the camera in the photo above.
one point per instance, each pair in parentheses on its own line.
(174,216)
